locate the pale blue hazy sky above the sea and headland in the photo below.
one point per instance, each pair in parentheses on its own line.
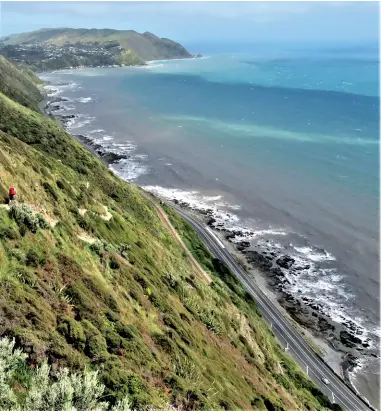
(209,22)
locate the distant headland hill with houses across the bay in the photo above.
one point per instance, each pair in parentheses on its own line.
(65,47)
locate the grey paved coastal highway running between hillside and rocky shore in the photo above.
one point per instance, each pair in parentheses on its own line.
(337,390)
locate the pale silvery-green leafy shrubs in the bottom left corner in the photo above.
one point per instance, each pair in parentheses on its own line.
(46,390)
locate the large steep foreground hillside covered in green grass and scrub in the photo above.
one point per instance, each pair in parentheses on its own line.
(118,296)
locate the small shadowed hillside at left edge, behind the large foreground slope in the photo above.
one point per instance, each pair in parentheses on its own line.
(19,84)
